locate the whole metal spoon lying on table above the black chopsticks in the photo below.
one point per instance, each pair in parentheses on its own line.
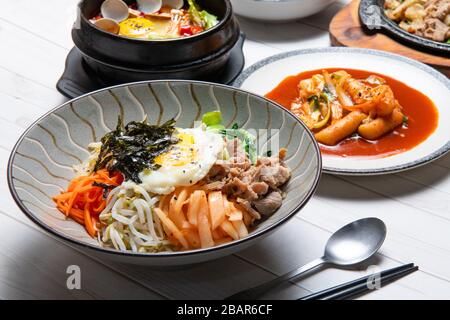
(349,246)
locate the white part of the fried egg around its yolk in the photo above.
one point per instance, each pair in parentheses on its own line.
(208,148)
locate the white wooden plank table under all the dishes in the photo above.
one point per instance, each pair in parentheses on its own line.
(415,205)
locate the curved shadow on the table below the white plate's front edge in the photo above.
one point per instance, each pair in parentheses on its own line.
(392,185)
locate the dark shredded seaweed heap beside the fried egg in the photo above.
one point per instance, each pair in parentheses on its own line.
(132,148)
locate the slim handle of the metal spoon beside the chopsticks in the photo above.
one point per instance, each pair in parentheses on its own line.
(256,292)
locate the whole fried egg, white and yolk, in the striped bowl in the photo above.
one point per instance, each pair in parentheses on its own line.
(186,162)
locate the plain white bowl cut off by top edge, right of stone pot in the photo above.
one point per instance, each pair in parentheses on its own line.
(278,10)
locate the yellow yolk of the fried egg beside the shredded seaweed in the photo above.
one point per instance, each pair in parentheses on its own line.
(180,154)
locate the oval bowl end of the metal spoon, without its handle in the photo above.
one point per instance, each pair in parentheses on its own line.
(355,242)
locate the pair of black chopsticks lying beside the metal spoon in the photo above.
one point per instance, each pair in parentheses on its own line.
(359,286)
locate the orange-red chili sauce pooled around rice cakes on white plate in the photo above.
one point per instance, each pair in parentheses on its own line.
(421,112)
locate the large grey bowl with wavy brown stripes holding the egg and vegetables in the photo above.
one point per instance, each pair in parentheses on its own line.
(41,163)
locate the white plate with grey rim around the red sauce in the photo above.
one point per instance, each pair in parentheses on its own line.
(265,75)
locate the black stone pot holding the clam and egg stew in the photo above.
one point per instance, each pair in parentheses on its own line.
(125,52)
